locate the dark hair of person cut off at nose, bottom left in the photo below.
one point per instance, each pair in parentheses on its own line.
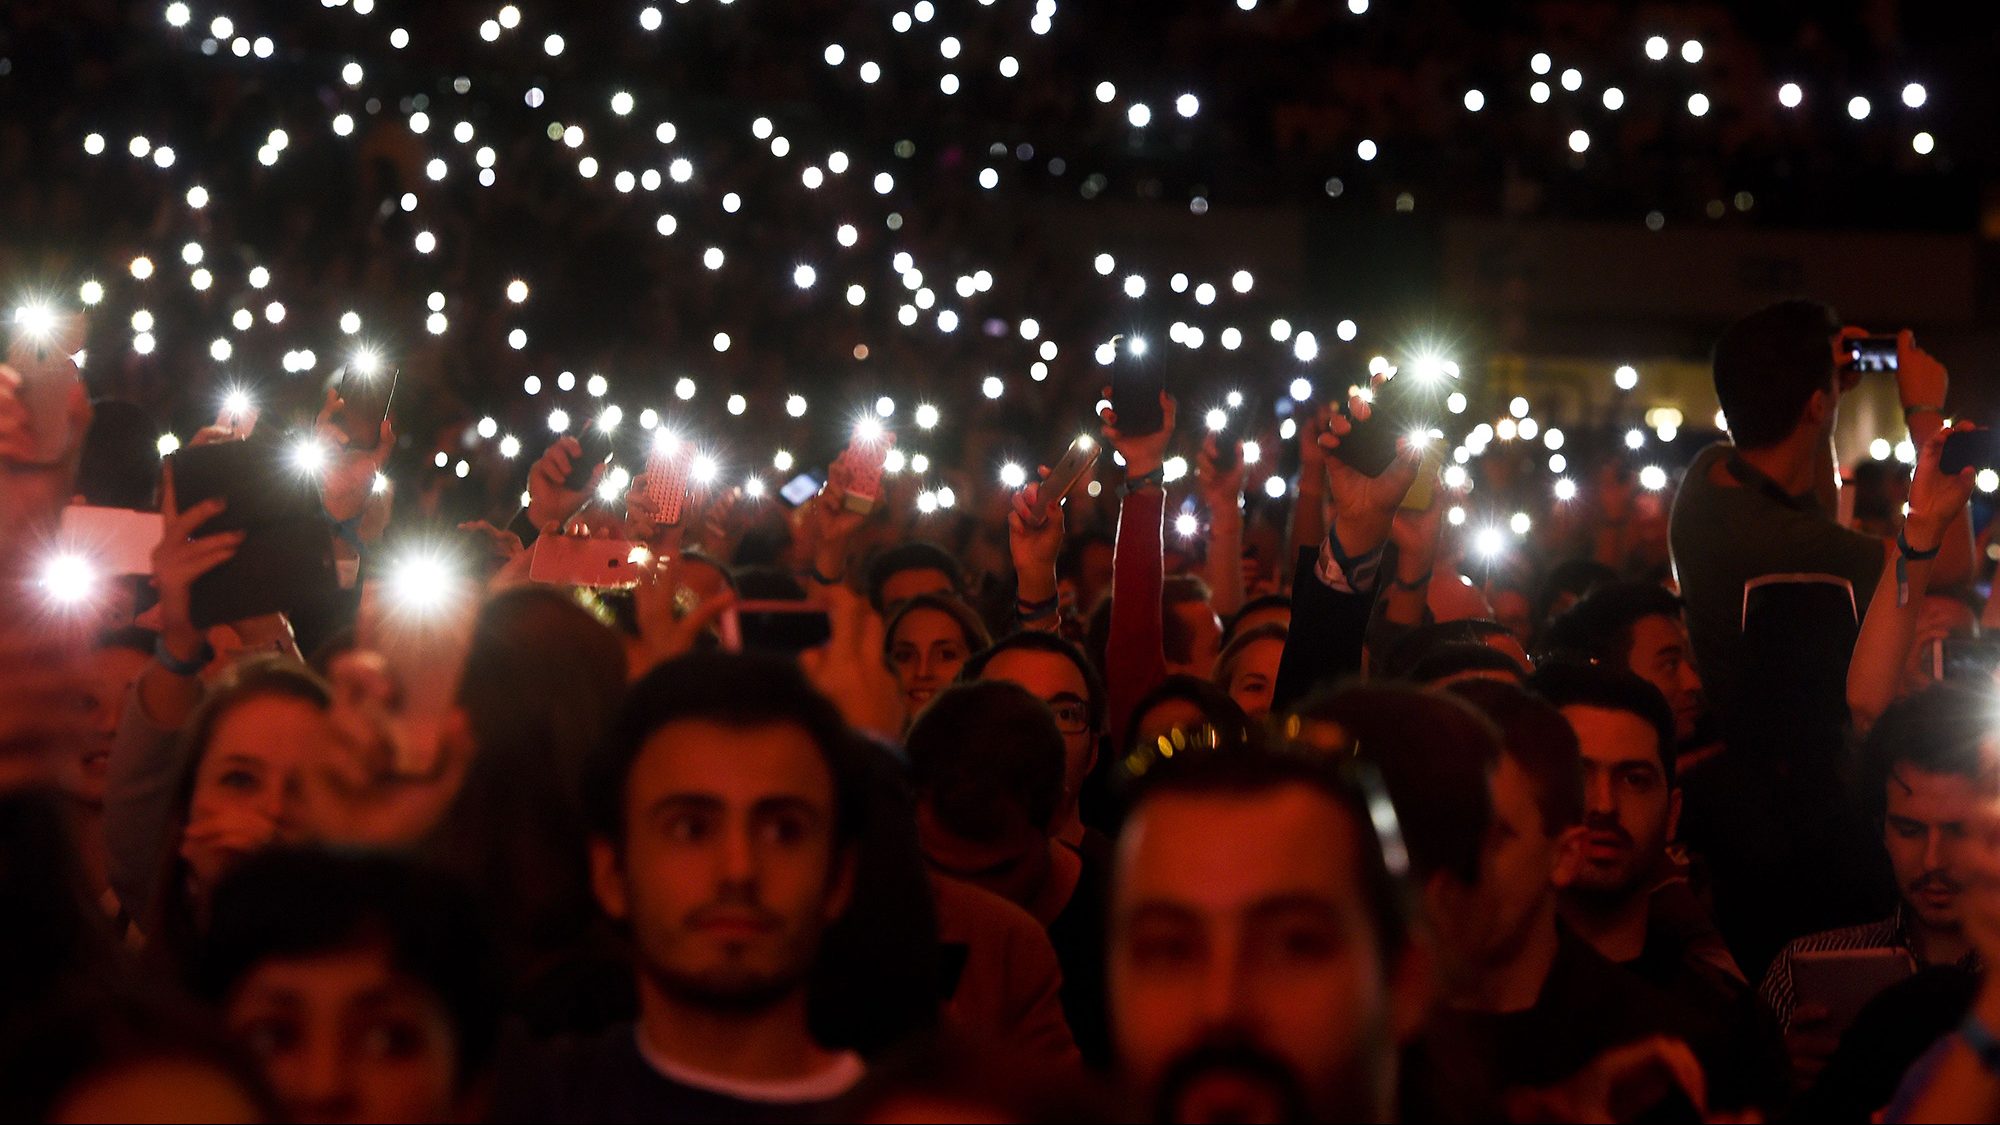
(287,904)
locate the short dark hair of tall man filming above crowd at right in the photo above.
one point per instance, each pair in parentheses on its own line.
(1769,365)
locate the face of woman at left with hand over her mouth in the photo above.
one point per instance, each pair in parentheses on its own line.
(247,790)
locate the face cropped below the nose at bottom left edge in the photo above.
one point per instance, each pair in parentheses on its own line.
(347,1038)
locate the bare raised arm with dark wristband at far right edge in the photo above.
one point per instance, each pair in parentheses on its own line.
(1883,650)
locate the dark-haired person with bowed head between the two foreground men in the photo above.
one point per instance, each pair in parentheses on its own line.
(989,770)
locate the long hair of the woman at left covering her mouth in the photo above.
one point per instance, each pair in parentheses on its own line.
(169,916)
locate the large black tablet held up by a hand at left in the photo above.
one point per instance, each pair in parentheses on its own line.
(287,557)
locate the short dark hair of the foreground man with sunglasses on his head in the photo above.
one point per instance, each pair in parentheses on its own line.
(1261,772)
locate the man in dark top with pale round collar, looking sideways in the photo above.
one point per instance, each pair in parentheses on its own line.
(723,840)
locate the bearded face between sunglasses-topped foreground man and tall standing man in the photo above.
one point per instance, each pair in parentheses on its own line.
(1629,810)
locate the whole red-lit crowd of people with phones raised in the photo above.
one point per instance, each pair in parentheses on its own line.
(807,818)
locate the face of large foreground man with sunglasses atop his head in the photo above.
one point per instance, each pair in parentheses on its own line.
(1243,922)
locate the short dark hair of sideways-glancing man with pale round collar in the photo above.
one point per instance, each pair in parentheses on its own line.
(743,692)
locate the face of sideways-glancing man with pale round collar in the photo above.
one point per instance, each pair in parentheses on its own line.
(729,872)
